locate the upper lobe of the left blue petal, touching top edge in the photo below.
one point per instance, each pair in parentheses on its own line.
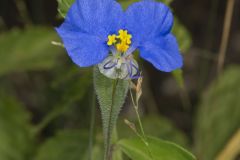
(97,17)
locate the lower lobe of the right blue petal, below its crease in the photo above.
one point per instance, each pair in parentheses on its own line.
(163,53)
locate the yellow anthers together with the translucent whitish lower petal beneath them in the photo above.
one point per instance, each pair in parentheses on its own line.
(120,64)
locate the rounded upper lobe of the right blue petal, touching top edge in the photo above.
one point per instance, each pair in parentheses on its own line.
(148,19)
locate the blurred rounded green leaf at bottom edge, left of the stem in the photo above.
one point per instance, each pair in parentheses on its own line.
(66,145)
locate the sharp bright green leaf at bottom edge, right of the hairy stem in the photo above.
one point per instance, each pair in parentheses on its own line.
(161,150)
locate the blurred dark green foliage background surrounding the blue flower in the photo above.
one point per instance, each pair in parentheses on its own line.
(45,100)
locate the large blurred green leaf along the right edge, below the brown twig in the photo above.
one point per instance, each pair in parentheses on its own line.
(219,114)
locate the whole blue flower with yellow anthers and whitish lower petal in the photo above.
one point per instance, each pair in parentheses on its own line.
(99,32)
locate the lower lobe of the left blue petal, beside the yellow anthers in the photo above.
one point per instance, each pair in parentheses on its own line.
(84,49)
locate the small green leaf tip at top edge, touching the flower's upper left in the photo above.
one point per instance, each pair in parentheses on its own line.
(63,6)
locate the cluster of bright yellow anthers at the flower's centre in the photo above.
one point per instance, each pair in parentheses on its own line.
(122,41)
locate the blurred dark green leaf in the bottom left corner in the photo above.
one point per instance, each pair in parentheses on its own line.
(16,141)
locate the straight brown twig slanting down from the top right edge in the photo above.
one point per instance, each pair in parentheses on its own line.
(225,35)
